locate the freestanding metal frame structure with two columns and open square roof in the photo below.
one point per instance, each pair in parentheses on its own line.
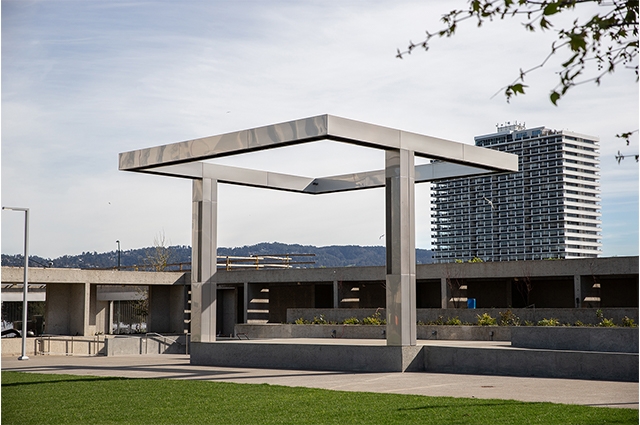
(187,160)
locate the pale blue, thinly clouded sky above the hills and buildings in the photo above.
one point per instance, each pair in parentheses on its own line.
(85,80)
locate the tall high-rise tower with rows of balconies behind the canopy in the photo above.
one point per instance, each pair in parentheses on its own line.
(550,208)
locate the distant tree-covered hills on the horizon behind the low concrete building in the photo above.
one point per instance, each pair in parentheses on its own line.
(325,256)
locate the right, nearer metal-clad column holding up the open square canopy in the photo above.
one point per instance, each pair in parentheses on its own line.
(401,251)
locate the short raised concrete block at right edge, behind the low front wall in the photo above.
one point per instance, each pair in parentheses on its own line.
(621,340)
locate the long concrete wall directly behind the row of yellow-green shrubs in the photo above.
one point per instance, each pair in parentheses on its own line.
(426,315)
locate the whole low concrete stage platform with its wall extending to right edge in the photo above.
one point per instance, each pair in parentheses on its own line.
(373,355)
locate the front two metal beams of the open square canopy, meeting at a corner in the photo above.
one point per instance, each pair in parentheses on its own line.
(322,127)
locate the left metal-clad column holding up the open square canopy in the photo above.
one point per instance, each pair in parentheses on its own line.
(204,260)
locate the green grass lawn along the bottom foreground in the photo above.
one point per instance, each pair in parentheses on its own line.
(65,399)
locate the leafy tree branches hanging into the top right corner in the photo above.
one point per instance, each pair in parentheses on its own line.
(597,46)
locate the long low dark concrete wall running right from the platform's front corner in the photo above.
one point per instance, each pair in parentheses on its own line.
(530,362)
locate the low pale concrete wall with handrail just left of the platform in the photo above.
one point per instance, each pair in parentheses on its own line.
(131,345)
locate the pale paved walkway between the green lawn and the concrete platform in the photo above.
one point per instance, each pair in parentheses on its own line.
(567,391)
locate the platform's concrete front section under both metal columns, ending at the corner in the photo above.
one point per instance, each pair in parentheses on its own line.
(308,356)
